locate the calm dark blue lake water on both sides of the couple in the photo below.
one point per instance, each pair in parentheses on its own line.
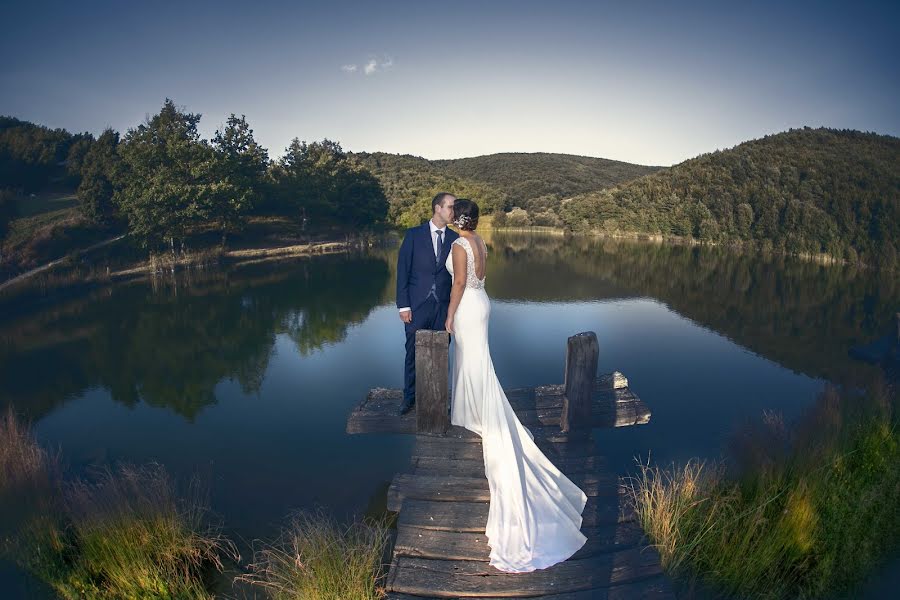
(246,377)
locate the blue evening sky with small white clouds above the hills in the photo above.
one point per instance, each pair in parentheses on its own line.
(652,83)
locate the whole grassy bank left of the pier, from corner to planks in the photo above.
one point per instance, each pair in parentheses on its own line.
(129,532)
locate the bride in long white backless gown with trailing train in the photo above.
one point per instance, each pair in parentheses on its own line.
(534,519)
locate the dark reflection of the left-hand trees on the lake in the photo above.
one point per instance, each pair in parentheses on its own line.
(170,344)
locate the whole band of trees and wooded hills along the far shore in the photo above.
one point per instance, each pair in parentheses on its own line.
(804,191)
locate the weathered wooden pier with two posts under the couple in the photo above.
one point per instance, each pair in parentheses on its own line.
(441,550)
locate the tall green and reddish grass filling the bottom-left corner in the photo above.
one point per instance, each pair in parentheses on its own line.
(125,533)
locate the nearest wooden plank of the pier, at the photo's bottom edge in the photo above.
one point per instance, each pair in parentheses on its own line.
(476,579)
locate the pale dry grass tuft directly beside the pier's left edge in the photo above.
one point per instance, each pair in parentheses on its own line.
(316,558)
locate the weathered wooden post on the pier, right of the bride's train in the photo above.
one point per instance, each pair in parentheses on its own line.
(582,355)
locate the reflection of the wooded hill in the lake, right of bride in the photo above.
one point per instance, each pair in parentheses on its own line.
(799,314)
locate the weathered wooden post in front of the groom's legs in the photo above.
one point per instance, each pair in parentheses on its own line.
(432,389)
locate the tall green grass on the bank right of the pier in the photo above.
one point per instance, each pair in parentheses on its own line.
(797,512)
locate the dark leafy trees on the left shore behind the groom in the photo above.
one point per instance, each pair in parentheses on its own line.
(163,182)
